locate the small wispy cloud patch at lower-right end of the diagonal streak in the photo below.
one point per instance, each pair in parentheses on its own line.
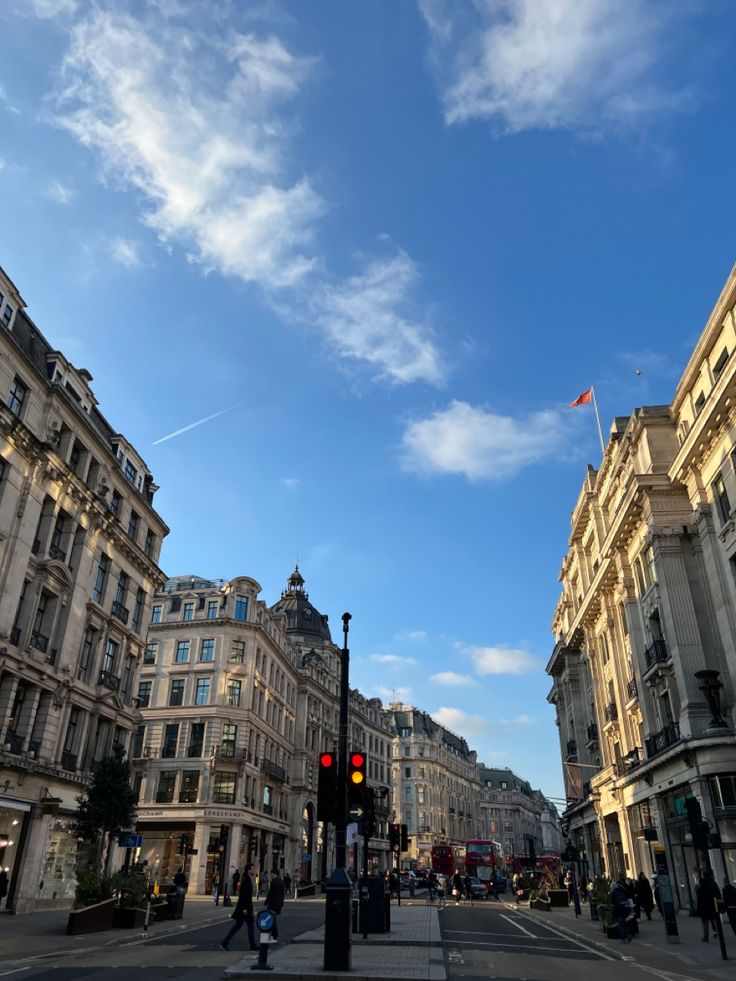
(370,317)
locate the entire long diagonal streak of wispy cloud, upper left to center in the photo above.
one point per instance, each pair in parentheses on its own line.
(199,124)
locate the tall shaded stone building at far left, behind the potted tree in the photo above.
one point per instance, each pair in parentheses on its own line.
(79,546)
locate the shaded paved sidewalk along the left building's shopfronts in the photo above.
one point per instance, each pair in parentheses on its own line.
(44,932)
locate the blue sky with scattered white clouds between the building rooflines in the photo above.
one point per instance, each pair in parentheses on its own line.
(393,240)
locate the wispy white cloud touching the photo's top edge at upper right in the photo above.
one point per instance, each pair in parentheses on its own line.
(551,64)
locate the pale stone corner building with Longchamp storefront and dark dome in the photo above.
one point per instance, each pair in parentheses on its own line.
(238,700)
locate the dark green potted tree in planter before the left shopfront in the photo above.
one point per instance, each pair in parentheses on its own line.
(105,809)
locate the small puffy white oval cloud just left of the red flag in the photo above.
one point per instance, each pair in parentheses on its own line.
(480,445)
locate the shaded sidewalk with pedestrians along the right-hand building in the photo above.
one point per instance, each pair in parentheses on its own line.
(650,947)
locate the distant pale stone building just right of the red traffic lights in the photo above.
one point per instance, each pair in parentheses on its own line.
(435,784)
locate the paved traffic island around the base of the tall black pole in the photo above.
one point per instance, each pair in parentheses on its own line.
(412,950)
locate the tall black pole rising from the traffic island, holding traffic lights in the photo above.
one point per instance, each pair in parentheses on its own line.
(339,892)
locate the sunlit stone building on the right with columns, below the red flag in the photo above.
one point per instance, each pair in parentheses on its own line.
(648,603)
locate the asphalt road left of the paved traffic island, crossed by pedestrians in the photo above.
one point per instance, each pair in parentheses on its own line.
(192,955)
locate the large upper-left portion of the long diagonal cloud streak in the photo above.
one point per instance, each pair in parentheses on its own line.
(201,144)
